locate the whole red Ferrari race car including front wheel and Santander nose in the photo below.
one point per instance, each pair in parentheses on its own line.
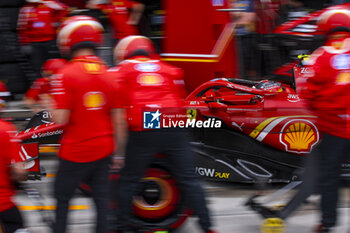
(265,135)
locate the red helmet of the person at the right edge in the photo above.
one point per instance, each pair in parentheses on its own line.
(336,19)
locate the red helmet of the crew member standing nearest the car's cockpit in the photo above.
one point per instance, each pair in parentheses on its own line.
(130,44)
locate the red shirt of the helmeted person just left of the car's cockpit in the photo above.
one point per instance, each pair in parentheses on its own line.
(151,83)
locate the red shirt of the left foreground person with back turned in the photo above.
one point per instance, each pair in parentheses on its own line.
(88,132)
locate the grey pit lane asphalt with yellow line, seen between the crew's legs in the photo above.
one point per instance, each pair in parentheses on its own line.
(226,202)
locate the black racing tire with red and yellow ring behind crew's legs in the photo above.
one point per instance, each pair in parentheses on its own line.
(164,210)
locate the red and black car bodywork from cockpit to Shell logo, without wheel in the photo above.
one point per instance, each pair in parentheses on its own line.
(266,132)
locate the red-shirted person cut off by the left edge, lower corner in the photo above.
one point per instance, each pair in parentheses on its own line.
(11,169)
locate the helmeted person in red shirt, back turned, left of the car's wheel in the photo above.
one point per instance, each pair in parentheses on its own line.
(83,103)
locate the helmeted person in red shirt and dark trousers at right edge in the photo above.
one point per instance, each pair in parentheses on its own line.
(327,94)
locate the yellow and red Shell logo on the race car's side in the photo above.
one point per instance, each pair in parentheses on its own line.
(299,136)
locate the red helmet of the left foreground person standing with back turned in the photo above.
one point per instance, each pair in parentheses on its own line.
(79,29)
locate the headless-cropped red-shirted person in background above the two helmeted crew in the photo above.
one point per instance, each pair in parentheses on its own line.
(119,17)
